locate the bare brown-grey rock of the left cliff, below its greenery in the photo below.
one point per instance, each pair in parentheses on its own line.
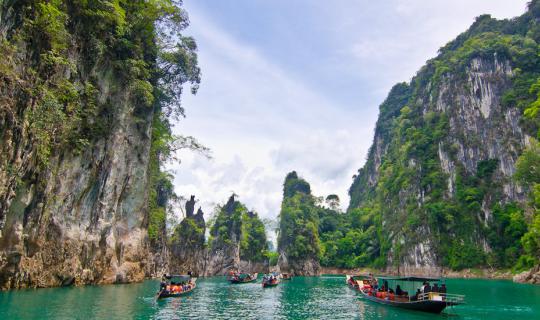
(83,219)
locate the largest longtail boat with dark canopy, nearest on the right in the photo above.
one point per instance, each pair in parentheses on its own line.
(434,302)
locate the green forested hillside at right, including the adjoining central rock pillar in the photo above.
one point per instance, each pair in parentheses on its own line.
(451,180)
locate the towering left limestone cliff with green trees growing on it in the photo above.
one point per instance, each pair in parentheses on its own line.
(79,106)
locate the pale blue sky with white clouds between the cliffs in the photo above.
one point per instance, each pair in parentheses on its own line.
(296,84)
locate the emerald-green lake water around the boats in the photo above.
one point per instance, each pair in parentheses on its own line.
(325,297)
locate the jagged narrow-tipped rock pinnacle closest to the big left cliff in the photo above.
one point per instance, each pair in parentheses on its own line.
(188,251)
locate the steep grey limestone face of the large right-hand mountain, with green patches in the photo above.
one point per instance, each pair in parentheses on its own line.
(439,172)
